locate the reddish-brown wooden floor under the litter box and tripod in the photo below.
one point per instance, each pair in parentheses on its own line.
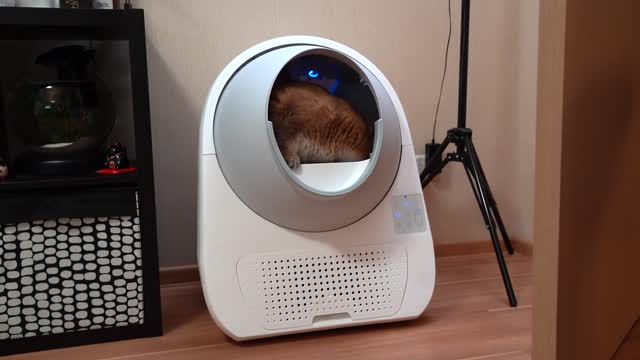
(468,318)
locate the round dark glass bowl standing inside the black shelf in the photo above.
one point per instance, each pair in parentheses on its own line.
(63,122)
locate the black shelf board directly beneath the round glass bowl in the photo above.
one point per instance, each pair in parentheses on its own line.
(21,184)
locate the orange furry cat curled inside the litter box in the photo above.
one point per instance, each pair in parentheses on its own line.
(313,126)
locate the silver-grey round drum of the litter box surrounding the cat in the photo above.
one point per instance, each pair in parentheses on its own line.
(315,196)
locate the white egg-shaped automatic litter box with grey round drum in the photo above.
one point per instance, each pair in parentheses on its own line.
(324,246)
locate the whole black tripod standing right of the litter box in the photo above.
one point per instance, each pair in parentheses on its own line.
(466,154)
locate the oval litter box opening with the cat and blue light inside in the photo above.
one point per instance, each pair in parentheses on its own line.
(324,123)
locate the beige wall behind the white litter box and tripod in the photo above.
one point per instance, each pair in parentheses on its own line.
(189,42)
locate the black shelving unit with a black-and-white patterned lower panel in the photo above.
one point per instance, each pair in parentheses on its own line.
(80,258)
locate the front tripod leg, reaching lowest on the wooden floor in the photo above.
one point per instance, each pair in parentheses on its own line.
(473,162)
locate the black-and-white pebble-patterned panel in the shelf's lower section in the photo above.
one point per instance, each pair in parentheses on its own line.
(65,275)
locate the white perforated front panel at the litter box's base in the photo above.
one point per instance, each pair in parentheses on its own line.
(298,289)
